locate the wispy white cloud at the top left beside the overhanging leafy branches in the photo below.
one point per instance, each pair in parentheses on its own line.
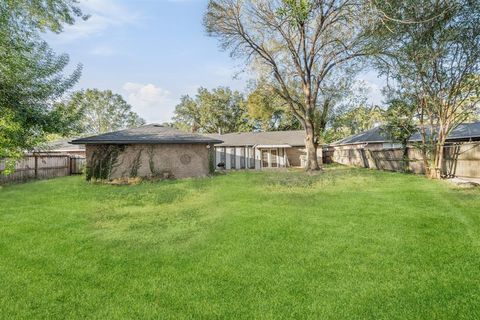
(104,14)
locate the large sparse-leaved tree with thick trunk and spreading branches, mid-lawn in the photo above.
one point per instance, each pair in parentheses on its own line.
(296,43)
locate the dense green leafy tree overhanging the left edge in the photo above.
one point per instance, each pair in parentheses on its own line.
(31,75)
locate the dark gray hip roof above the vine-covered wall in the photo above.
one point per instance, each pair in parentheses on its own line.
(150,134)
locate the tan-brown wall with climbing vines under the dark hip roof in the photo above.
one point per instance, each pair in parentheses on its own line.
(149,160)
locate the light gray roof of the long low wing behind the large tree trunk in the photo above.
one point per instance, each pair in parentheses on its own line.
(292,138)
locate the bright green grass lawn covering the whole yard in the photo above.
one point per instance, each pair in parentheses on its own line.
(349,243)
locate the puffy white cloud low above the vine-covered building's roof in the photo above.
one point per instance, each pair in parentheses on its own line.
(153,103)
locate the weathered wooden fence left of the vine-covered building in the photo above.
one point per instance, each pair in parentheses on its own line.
(42,167)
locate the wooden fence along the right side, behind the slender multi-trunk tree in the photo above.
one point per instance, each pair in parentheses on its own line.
(461,159)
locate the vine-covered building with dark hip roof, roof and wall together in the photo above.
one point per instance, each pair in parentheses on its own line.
(148,151)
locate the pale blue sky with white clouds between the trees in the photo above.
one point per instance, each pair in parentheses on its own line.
(152,52)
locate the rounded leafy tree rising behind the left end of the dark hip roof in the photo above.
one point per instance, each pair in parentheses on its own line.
(101,111)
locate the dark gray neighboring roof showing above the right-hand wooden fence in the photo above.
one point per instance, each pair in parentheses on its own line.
(464,131)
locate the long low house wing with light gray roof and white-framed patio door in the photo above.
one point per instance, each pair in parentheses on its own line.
(257,150)
